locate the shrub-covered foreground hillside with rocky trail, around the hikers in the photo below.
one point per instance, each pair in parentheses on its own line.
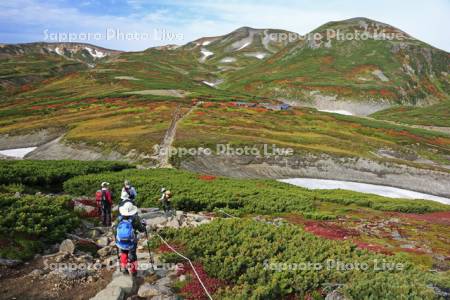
(280,241)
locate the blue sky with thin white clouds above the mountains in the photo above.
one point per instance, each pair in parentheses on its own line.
(153,23)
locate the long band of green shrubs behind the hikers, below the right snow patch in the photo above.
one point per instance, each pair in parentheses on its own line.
(193,193)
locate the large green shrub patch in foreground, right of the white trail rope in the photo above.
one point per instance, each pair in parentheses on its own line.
(254,258)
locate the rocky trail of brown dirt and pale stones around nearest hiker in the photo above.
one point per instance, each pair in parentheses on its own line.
(85,265)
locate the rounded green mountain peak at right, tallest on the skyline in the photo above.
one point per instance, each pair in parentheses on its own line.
(371,71)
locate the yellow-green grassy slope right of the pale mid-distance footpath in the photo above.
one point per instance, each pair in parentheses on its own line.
(306,130)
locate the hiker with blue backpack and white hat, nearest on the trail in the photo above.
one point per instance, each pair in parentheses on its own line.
(126,228)
